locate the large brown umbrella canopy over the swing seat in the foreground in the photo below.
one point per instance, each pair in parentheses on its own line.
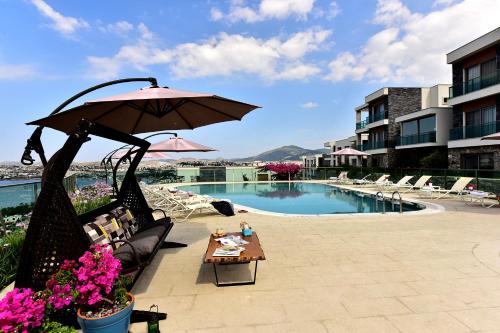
(150,110)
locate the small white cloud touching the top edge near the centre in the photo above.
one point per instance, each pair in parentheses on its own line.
(267,9)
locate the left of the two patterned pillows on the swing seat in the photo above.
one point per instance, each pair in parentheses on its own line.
(104,229)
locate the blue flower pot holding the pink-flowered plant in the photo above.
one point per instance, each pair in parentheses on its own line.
(118,322)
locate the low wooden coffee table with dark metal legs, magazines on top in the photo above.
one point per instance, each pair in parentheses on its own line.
(253,252)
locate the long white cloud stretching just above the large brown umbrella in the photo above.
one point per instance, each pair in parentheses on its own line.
(221,55)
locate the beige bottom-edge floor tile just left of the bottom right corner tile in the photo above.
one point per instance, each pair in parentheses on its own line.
(428,322)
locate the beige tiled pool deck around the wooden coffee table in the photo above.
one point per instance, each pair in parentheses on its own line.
(436,272)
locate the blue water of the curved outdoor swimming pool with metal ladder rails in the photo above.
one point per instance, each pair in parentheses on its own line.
(298,198)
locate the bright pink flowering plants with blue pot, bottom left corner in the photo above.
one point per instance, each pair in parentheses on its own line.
(93,285)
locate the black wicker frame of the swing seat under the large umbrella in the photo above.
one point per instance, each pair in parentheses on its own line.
(55,232)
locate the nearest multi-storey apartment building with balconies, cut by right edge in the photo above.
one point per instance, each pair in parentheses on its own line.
(475,99)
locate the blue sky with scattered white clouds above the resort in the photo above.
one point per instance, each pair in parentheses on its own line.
(307,63)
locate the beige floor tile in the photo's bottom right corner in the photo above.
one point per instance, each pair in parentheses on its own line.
(479,319)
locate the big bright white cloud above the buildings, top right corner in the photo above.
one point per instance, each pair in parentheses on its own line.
(412,47)
